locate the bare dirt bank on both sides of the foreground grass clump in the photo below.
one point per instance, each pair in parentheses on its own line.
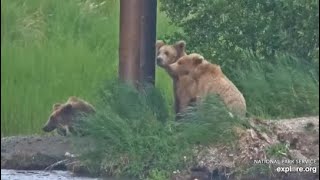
(288,142)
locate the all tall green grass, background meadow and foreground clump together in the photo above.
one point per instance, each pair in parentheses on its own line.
(54,49)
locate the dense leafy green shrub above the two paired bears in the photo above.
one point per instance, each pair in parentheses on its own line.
(221,29)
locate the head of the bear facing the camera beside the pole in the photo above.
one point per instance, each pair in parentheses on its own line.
(168,54)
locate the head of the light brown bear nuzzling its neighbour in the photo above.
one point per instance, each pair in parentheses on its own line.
(186,64)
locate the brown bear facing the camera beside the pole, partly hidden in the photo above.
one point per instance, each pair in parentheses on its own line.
(166,55)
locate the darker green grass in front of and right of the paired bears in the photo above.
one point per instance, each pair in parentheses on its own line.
(134,135)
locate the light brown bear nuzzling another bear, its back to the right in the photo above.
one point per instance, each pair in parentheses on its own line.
(209,80)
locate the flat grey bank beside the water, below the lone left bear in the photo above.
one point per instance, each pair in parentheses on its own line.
(33,152)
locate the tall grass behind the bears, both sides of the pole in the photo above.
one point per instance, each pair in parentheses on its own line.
(54,49)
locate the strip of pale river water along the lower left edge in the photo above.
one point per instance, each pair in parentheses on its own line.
(8,174)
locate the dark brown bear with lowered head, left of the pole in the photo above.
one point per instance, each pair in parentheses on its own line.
(65,114)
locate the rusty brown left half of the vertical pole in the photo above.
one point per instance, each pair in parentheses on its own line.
(129,50)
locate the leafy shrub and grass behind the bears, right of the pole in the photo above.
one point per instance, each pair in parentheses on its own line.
(268,49)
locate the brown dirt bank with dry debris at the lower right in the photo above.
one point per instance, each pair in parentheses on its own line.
(271,149)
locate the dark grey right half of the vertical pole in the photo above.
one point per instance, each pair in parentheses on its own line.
(148,41)
